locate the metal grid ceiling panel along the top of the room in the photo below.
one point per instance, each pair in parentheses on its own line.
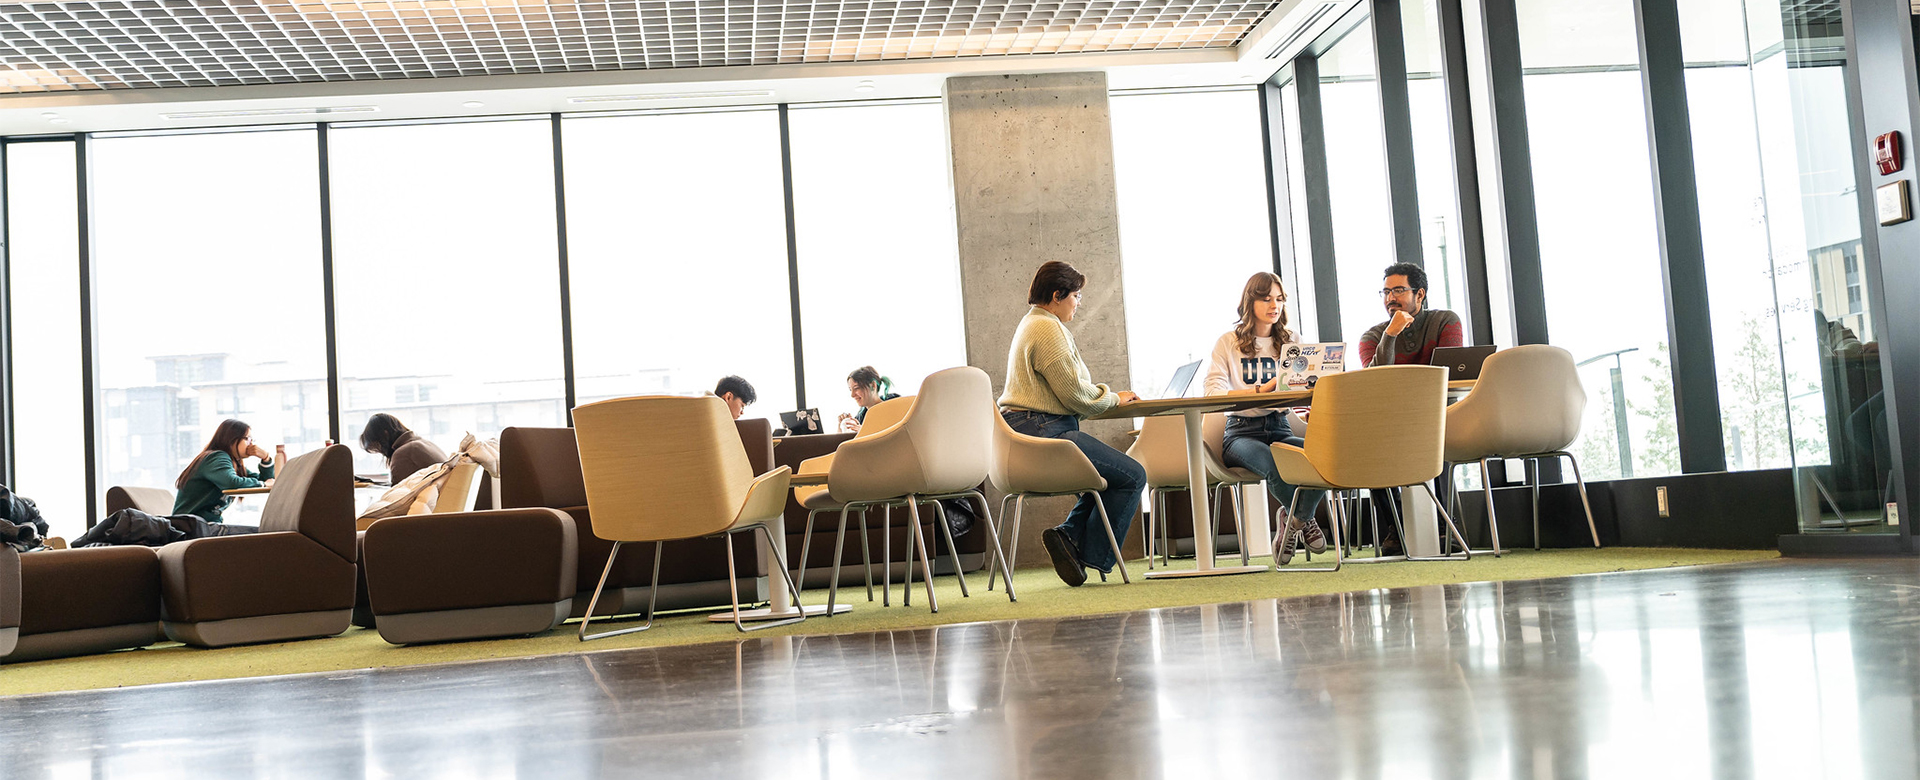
(55,47)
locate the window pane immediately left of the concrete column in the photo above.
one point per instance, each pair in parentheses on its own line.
(878,256)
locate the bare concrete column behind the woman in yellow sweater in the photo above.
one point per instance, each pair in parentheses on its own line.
(1034,182)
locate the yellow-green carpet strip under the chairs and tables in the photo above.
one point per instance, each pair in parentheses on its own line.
(1042,595)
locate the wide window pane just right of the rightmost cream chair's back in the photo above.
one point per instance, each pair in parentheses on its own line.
(1598,247)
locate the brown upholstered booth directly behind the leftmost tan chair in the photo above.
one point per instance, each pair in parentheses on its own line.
(540,468)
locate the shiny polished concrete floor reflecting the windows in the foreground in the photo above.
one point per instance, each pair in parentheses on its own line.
(1792,670)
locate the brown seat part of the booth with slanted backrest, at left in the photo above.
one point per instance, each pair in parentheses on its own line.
(252,575)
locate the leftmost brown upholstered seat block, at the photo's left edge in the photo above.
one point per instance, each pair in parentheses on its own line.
(78,602)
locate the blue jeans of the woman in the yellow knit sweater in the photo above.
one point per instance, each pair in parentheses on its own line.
(1124,483)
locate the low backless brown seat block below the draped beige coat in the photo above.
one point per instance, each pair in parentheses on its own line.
(471,575)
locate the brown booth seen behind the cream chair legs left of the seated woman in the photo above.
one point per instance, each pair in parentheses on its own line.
(794,451)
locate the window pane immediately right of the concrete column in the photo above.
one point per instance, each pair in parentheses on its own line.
(1195,224)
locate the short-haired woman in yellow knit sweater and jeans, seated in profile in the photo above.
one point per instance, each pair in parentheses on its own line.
(1047,395)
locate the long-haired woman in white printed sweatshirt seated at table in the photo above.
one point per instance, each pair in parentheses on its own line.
(1249,358)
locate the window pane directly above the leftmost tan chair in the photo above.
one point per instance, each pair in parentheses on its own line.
(679,255)
